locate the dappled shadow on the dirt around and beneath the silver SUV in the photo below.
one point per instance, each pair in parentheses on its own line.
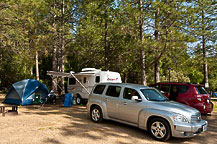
(81,126)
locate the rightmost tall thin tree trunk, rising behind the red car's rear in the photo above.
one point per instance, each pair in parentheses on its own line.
(205,65)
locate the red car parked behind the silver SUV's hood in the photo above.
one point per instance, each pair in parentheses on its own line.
(190,94)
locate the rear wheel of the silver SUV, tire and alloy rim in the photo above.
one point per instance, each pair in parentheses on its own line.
(96,114)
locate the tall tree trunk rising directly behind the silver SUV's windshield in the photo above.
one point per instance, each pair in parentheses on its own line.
(142,51)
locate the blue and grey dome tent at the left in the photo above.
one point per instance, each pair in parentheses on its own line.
(25,91)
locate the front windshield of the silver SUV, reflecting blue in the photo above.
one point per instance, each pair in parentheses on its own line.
(153,95)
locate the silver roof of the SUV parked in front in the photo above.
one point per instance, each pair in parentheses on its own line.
(130,85)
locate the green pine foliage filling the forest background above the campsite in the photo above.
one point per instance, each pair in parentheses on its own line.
(27,26)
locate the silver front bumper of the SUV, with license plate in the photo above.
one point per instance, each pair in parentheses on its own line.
(188,129)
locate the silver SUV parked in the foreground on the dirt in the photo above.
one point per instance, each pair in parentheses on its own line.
(146,108)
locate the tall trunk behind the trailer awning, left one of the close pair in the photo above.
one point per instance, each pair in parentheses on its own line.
(54,59)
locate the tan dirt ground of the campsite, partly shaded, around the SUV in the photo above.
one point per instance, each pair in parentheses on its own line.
(63,125)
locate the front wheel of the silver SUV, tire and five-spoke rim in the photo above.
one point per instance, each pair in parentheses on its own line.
(159,129)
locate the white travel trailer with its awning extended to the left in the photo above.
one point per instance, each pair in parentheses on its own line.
(81,84)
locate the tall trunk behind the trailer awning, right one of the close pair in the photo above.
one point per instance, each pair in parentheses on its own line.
(63,48)
